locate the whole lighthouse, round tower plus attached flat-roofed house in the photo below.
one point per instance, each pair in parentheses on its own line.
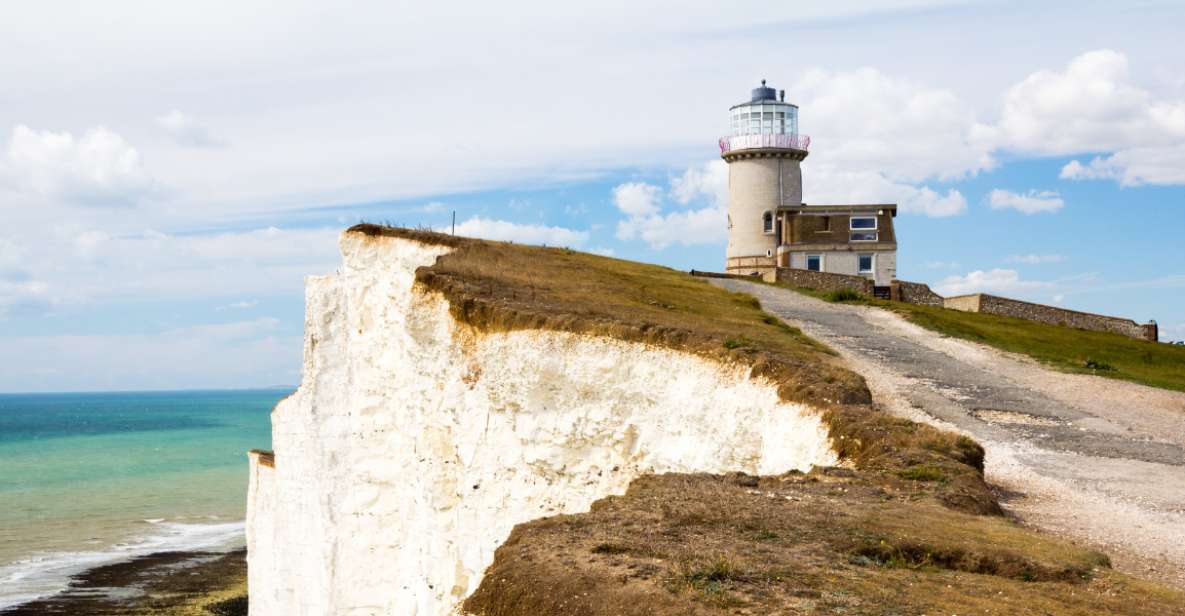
(771,230)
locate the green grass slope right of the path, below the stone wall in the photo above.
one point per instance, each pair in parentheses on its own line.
(1061,348)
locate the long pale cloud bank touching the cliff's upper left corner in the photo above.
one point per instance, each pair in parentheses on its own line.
(69,268)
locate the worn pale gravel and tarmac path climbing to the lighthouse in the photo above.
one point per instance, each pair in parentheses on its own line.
(1096,460)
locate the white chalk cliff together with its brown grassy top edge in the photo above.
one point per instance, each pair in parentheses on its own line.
(454,389)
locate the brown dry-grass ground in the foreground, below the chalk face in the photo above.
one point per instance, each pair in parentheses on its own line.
(831,542)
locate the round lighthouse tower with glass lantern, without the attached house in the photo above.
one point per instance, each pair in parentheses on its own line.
(764,151)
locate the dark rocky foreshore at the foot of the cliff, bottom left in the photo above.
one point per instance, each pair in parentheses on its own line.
(165,583)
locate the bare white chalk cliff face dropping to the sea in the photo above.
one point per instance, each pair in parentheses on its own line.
(415,444)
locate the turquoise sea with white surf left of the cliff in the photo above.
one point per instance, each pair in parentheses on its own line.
(93,479)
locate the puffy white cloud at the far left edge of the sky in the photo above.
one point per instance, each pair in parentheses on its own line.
(99,169)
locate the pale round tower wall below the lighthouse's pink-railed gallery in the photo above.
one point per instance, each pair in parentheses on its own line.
(759,185)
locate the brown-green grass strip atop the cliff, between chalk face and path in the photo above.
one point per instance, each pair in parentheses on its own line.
(497,286)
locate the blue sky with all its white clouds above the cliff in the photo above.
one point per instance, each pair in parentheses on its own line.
(171,172)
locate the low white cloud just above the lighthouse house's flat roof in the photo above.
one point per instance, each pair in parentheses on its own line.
(825,185)
